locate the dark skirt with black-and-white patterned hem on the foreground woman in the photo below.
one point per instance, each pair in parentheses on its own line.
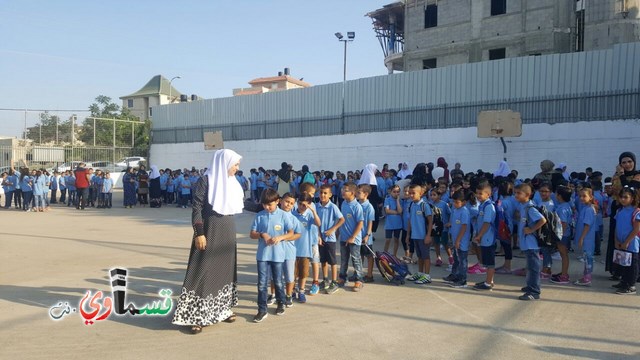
(209,291)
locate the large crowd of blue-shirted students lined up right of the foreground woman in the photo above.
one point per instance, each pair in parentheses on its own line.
(457,214)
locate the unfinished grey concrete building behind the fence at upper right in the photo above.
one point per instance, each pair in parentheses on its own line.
(424,34)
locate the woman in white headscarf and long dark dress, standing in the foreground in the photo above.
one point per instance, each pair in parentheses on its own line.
(209,290)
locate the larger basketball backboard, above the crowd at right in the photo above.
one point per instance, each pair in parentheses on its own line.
(499,123)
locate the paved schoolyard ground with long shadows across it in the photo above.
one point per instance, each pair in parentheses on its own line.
(54,257)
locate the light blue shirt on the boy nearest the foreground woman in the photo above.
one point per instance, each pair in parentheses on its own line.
(274,224)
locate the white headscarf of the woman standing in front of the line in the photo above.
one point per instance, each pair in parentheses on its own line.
(225,192)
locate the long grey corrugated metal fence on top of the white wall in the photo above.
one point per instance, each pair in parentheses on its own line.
(598,85)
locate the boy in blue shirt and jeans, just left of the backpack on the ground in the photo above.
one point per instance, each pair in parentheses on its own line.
(351,235)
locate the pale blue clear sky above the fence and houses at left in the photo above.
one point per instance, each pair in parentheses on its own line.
(60,55)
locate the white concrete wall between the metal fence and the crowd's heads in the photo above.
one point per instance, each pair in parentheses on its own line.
(579,145)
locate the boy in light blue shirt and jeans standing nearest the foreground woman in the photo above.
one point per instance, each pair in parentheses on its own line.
(271,227)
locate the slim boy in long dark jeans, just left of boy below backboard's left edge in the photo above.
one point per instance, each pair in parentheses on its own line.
(460,229)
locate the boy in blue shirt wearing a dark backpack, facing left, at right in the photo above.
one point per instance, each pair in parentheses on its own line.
(529,223)
